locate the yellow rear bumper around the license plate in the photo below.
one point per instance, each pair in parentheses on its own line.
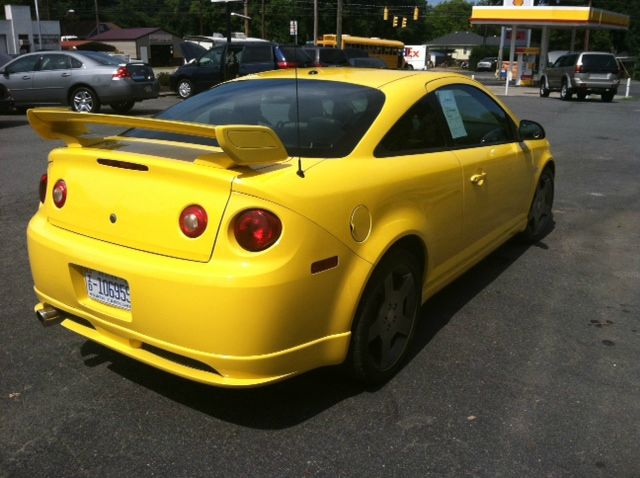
(246,325)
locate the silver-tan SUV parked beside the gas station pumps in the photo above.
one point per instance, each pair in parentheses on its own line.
(582,73)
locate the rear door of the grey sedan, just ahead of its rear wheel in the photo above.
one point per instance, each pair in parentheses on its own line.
(53,78)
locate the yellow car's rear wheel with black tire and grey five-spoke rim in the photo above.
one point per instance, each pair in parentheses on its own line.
(386,318)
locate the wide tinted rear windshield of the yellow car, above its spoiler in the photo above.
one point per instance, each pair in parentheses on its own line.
(327,121)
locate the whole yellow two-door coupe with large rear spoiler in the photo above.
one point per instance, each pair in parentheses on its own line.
(280,222)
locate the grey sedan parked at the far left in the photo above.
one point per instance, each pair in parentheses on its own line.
(83,80)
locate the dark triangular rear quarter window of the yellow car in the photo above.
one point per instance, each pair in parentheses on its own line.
(418,130)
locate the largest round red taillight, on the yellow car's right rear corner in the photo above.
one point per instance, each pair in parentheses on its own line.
(257,229)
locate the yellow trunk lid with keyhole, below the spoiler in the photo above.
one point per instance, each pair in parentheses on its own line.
(135,200)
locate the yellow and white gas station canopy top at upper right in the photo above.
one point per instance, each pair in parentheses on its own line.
(558,17)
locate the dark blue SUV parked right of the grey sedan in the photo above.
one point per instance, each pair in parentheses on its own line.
(225,62)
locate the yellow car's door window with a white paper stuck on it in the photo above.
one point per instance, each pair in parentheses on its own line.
(473,118)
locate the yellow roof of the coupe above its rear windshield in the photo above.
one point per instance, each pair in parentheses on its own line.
(353,75)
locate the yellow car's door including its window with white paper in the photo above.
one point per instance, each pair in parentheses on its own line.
(496,171)
